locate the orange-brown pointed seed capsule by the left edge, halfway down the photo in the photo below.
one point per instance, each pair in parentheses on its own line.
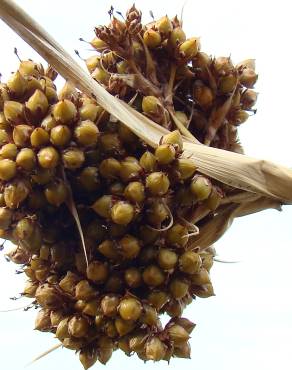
(15,193)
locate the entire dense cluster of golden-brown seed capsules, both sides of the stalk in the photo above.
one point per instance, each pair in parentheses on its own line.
(103,225)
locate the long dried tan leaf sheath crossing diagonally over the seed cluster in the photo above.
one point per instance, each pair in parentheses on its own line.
(239,171)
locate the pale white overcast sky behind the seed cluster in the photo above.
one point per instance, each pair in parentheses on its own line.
(248,325)
